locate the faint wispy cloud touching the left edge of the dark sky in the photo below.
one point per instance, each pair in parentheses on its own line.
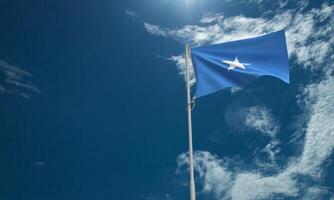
(14,80)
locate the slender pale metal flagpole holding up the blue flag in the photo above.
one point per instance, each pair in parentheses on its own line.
(190,140)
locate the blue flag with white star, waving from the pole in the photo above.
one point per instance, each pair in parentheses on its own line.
(237,63)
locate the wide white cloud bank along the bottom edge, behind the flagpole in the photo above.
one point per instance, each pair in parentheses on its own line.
(222,180)
